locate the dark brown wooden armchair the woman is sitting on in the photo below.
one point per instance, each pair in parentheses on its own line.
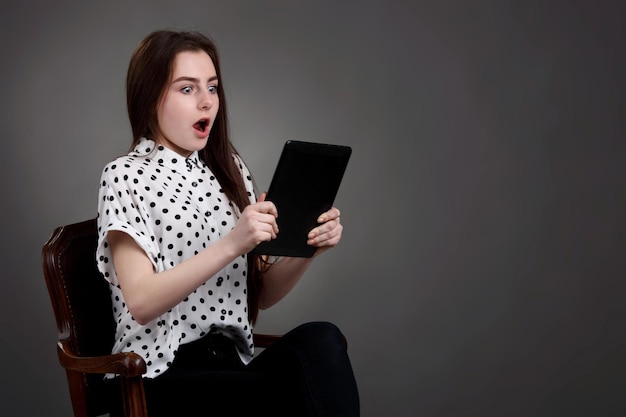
(81,302)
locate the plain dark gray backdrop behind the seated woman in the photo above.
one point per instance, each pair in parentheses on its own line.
(481,272)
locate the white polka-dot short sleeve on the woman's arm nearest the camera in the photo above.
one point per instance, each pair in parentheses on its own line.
(120,208)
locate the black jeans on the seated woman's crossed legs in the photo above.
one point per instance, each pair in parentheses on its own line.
(306,373)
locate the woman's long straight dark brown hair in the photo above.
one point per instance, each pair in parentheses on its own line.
(149,73)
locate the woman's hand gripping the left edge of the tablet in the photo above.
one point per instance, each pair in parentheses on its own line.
(256,224)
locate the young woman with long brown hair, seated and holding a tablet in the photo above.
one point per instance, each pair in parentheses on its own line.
(177,218)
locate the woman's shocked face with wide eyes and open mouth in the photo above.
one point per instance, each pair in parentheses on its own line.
(190,103)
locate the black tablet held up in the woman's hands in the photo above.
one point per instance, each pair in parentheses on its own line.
(304,185)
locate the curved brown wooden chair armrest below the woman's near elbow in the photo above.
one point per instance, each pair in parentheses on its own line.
(127,364)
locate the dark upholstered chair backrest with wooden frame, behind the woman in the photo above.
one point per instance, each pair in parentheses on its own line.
(81,302)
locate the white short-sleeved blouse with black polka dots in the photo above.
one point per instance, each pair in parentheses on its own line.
(173,207)
